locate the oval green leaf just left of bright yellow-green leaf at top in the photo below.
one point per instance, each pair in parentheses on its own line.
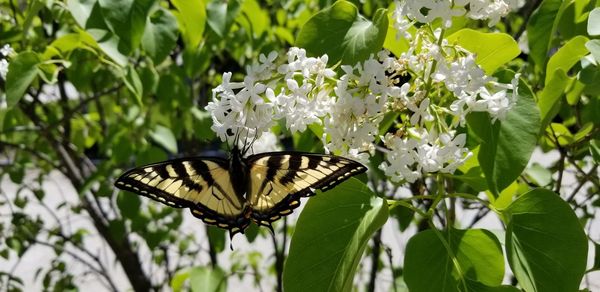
(160,35)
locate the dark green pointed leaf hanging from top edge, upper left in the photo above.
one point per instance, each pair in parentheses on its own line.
(126,19)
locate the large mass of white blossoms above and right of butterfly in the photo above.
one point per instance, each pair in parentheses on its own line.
(441,84)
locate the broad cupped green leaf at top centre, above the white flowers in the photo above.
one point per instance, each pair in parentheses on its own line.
(350,37)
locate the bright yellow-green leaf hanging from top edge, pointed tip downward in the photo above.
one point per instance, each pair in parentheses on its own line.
(191,15)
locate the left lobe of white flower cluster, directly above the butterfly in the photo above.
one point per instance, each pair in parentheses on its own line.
(242,112)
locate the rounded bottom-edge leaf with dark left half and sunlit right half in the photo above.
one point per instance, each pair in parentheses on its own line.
(477,252)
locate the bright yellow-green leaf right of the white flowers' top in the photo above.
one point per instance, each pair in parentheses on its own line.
(493,50)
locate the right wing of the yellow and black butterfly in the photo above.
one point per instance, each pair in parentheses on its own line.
(279,179)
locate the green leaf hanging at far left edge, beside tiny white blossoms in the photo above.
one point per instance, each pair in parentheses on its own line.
(22,71)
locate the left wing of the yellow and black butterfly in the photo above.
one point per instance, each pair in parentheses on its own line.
(201,184)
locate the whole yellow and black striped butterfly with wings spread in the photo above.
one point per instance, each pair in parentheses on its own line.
(230,193)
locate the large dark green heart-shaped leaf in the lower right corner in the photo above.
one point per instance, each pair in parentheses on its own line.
(545,243)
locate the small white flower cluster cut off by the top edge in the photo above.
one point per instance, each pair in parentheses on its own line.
(426,11)
